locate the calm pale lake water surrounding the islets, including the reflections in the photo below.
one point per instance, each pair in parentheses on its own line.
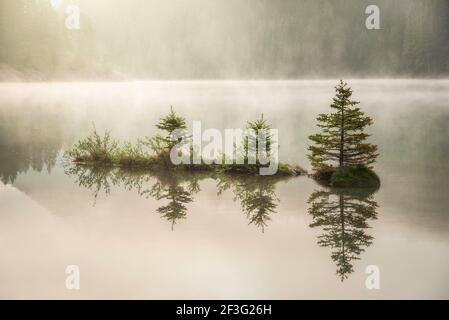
(141,235)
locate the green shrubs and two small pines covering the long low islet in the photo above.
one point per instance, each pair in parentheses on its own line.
(154,152)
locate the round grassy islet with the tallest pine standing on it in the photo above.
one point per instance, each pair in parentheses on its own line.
(340,156)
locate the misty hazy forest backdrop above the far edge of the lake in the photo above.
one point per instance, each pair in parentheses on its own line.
(211,39)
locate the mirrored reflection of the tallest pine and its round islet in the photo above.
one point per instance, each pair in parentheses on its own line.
(343,216)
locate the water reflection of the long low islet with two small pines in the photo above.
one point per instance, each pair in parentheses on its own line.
(176,189)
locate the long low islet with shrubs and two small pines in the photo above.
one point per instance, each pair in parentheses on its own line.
(154,153)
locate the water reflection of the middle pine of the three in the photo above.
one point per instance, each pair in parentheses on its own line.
(256,194)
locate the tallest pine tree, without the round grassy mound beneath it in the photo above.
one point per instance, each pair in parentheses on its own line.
(342,141)
